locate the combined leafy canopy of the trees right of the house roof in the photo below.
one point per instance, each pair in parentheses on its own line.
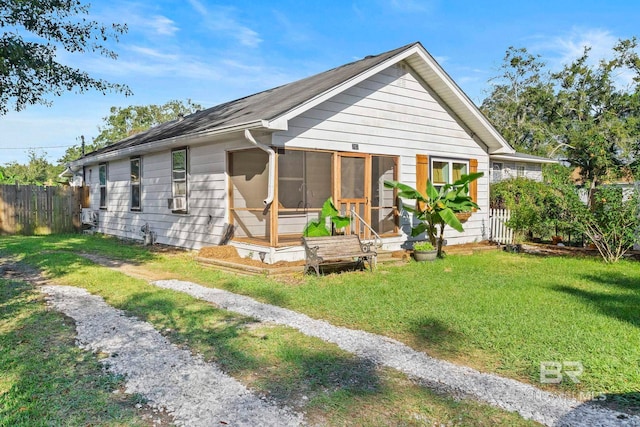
(583,113)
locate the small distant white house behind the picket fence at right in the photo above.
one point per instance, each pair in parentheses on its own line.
(517,165)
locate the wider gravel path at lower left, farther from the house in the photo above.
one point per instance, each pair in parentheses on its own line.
(194,392)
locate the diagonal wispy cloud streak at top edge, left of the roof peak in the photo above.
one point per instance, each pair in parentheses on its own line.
(221,20)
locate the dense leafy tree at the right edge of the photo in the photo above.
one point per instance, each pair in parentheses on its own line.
(598,122)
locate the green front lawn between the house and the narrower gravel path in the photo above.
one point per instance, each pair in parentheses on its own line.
(498,312)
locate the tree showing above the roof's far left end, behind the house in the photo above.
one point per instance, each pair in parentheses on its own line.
(124,122)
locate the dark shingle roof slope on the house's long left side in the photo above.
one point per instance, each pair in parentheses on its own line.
(267,105)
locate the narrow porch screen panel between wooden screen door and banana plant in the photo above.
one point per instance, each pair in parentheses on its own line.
(382,200)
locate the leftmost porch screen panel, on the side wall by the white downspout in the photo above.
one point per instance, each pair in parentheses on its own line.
(249,175)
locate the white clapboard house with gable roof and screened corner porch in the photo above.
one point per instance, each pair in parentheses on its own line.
(260,167)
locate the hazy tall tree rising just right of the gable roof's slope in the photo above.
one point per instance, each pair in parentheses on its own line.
(521,101)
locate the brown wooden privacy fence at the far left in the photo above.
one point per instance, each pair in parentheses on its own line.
(33,209)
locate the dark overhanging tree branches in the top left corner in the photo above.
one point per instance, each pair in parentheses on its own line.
(33,30)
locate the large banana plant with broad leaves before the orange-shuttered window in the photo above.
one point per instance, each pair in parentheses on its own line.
(437,209)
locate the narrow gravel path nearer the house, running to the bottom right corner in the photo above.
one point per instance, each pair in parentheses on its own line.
(528,401)
